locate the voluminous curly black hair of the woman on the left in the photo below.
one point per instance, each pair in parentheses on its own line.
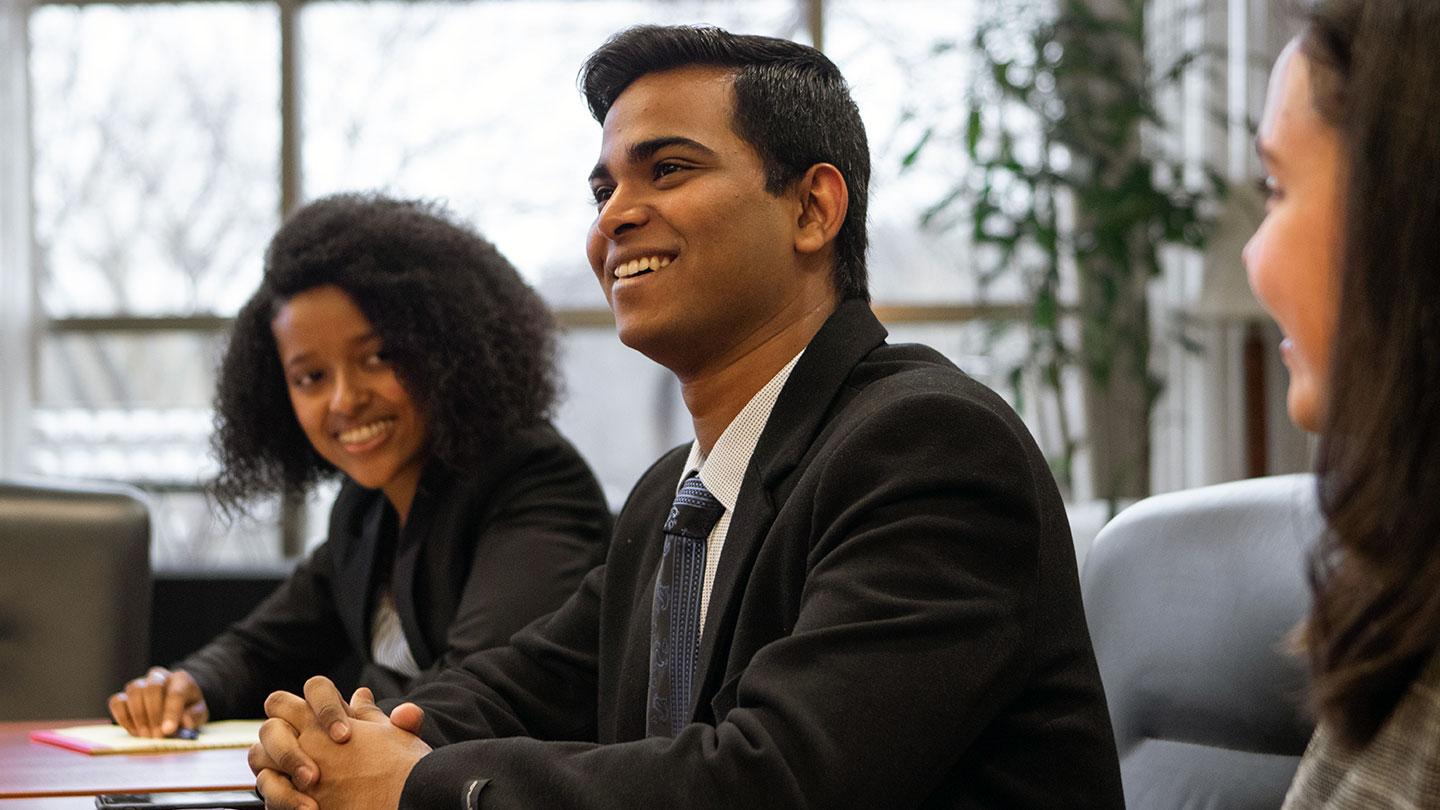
(470,341)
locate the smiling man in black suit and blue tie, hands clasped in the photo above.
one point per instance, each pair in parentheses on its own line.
(856,589)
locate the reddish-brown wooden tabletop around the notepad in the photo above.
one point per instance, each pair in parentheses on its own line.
(44,778)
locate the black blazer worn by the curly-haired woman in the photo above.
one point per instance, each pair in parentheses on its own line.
(482,556)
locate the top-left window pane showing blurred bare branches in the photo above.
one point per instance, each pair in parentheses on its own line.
(156,142)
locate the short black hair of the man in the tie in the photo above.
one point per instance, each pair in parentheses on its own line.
(791,104)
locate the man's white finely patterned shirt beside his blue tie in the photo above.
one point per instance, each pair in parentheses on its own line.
(724,469)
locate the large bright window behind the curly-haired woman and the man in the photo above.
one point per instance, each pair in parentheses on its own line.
(169,138)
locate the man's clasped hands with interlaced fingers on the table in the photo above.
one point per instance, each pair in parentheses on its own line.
(320,752)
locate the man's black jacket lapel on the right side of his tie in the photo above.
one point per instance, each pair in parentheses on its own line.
(800,413)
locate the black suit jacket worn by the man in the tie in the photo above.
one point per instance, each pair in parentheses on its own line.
(896,622)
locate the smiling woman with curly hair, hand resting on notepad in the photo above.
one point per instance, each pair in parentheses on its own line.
(398,351)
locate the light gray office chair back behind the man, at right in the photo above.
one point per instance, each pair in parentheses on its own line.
(1190,597)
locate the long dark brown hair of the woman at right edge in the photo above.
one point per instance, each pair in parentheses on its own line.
(1376,620)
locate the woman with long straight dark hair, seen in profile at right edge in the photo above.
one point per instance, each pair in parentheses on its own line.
(1349,263)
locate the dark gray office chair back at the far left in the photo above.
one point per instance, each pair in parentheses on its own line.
(74,597)
